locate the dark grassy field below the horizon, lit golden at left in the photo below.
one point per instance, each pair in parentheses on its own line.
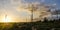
(45,25)
